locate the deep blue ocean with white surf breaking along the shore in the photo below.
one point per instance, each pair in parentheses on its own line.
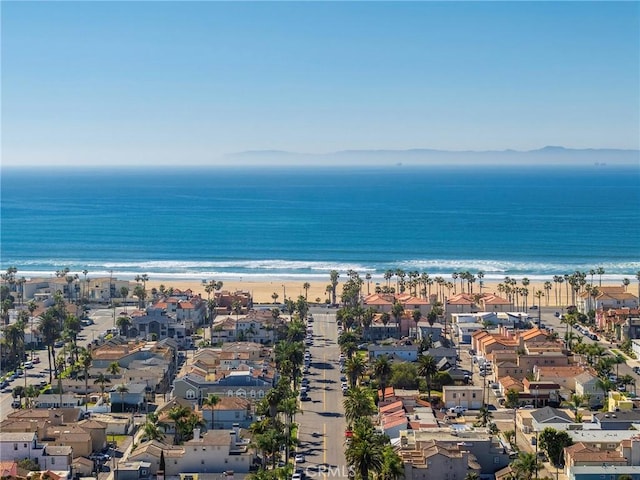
(301,223)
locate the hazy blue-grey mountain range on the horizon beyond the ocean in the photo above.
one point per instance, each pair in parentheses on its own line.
(549,155)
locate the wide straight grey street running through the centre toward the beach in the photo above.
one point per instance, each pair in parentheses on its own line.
(324,413)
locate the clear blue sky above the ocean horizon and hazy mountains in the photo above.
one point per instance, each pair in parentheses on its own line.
(187,82)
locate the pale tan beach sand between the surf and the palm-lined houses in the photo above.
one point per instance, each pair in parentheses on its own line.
(262,291)
